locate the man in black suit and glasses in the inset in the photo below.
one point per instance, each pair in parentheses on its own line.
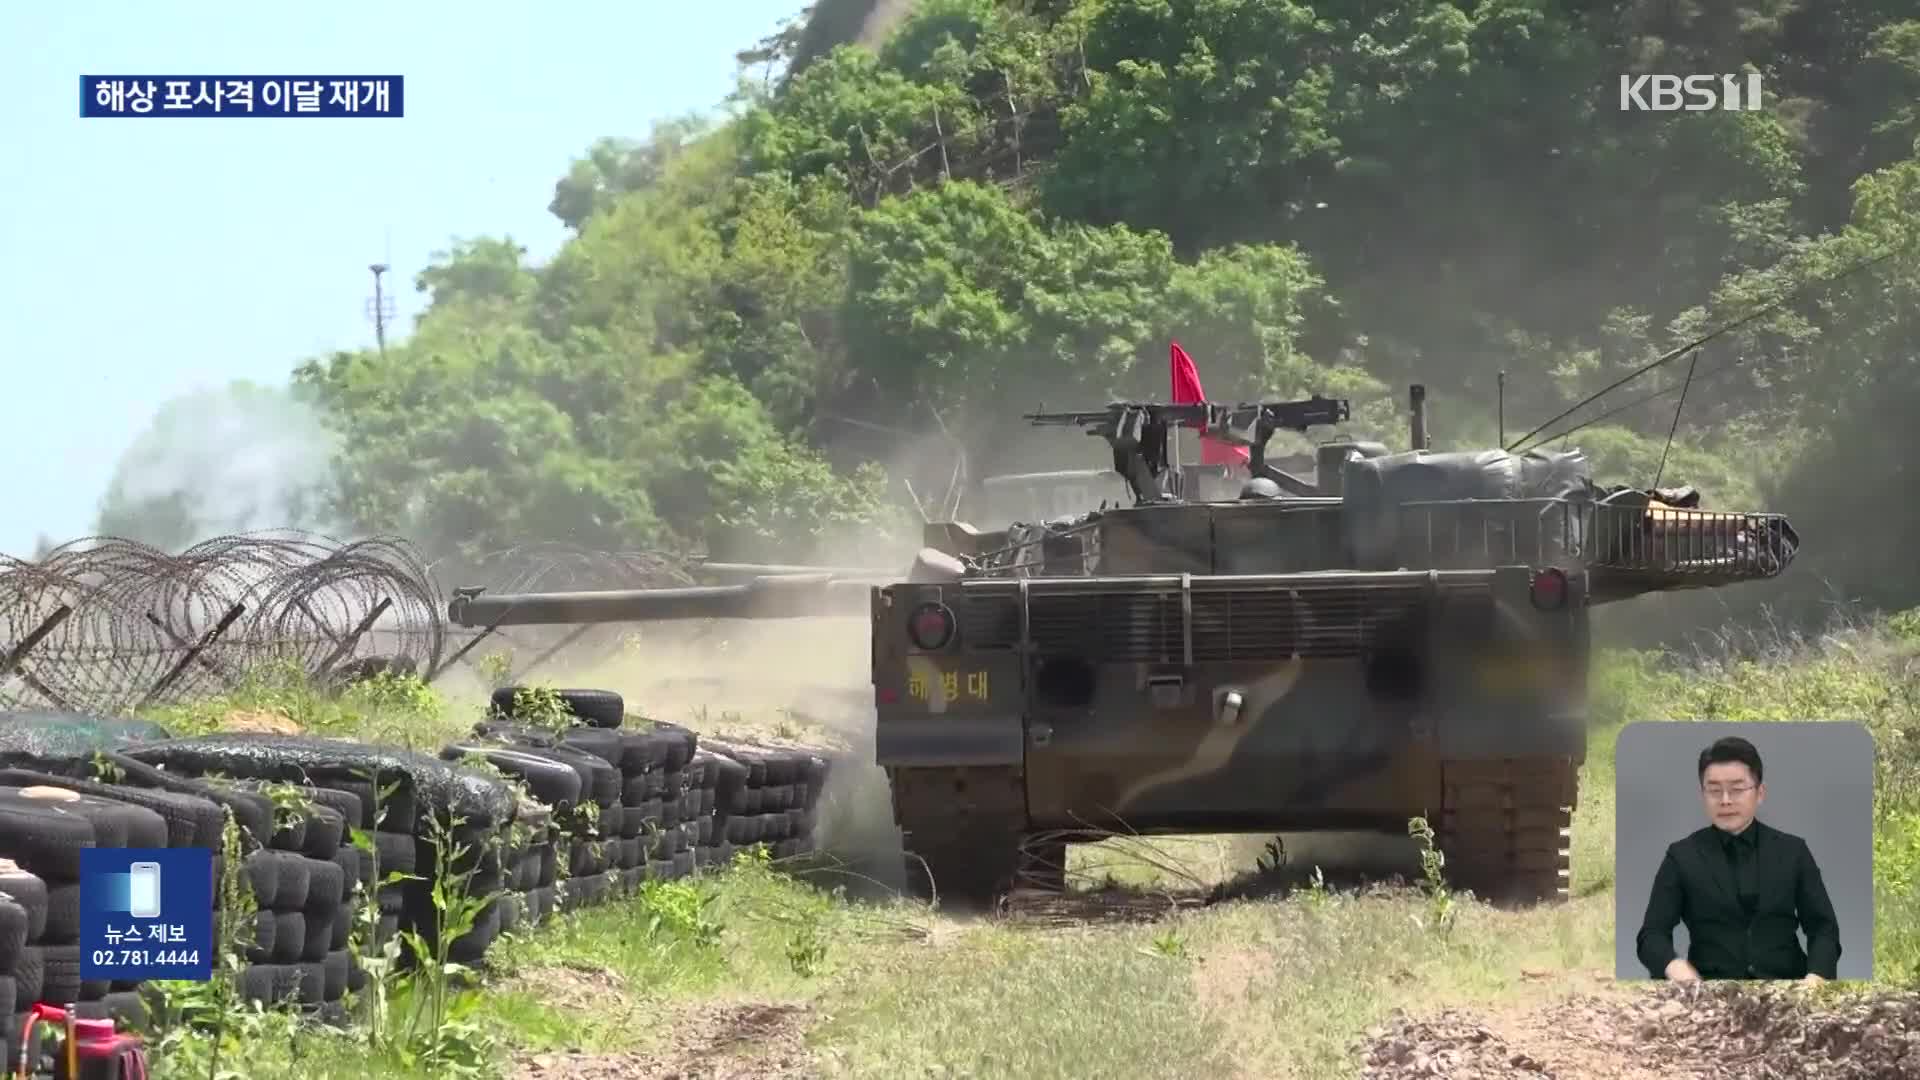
(1740,887)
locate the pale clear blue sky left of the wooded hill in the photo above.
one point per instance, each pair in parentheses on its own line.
(141,260)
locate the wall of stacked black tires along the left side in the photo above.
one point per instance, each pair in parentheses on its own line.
(602,808)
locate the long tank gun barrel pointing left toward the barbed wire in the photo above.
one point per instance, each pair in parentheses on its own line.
(784,597)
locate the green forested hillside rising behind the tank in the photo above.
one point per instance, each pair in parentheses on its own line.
(890,251)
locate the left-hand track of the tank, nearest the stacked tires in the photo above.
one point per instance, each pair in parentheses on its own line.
(967,841)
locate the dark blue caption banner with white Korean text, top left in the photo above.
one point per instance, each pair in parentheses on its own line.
(243,97)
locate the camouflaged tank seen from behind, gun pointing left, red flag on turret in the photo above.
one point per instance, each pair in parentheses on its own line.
(1341,649)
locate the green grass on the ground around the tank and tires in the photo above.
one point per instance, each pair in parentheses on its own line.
(1280,987)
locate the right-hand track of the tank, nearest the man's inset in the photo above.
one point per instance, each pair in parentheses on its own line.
(1506,827)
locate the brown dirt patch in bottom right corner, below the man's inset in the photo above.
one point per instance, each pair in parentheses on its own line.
(1658,1033)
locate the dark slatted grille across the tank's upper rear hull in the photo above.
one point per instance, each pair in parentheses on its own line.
(1239,626)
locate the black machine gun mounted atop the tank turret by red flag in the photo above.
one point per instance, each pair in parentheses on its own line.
(1141,431)
